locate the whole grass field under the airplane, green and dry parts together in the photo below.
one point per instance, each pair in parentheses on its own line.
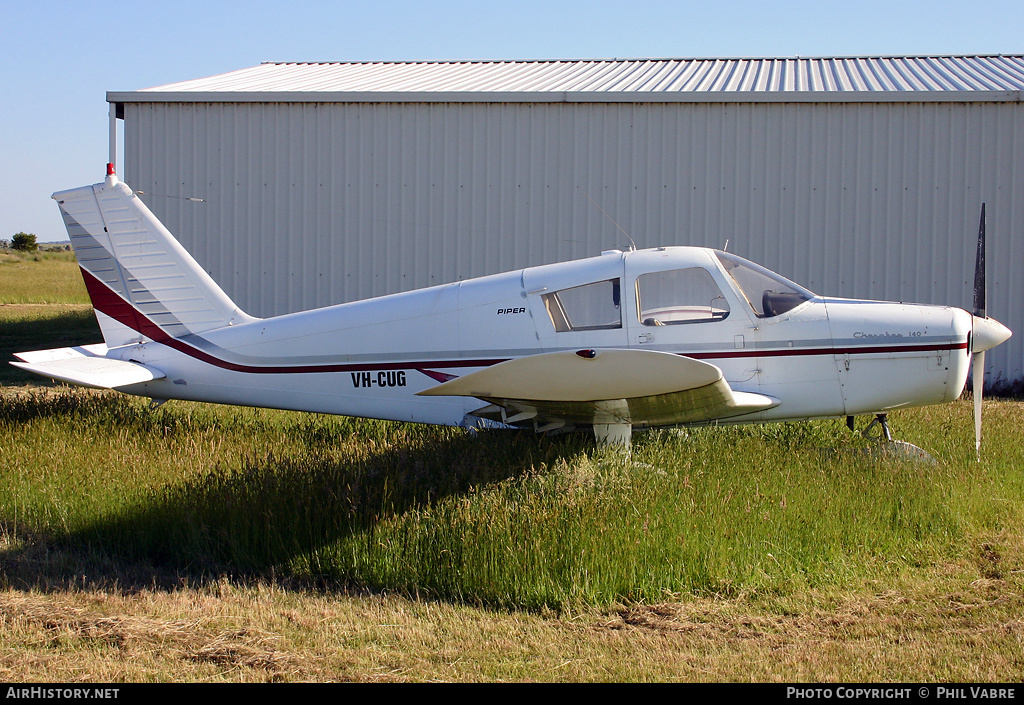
(201,543)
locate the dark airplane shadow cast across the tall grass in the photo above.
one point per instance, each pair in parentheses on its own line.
(253,521)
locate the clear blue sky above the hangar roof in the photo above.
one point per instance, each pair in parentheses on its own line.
(62,57)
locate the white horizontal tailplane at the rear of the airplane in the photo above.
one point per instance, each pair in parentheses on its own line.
(88,366)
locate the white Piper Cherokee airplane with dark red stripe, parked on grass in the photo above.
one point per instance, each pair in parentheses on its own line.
(659,338)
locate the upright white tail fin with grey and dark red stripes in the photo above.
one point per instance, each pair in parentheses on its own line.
(142,282)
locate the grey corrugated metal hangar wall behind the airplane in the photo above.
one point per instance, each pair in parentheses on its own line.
(311,204)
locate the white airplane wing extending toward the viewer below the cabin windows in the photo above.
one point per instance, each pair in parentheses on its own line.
(604,388)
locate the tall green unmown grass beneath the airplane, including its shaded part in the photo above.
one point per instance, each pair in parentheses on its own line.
(503,519)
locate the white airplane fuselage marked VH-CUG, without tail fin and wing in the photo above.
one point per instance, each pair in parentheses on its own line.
(819,357)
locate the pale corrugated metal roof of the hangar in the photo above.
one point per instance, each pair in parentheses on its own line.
(642,80)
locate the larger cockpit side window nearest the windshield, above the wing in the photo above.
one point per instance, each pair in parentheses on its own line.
(680,297)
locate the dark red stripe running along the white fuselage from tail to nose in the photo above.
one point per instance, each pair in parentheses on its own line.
(111,304)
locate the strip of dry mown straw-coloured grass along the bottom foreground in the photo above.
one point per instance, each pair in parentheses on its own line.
(952,629)
